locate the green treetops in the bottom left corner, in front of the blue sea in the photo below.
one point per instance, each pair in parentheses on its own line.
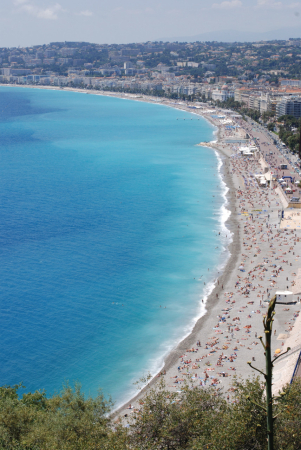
(65,421)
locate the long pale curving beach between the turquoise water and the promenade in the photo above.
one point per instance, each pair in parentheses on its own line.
(265,258)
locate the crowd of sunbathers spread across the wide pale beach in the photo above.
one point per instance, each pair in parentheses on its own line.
(268,261)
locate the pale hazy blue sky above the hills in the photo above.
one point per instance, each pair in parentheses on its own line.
(34,22)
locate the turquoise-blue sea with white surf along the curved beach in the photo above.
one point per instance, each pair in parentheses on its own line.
(112,232)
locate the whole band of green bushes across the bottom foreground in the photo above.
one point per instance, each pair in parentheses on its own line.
(194,419)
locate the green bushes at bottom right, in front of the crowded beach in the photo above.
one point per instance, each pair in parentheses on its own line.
(199,419)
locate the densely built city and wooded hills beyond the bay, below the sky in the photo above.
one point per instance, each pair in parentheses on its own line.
(259,75)
